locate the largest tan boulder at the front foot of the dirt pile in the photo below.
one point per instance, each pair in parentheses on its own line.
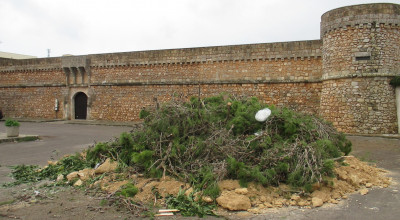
(233,201)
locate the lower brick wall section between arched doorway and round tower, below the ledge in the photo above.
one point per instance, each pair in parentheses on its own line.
(123,103)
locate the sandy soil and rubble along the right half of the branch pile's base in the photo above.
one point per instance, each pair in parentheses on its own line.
(354,176)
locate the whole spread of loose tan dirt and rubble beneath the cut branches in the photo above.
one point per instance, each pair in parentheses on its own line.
(352,175)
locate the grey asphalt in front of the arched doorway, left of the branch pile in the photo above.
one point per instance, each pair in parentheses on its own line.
(56,140)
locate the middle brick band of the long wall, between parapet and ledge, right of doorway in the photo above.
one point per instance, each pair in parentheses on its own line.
(289,70)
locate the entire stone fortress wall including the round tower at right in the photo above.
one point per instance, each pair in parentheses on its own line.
(343,77)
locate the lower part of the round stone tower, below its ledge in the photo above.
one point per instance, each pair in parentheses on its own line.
(360,106)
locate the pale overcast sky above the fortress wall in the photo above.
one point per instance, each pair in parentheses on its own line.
(81,27)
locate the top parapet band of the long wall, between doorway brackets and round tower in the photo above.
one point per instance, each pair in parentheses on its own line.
(250,53)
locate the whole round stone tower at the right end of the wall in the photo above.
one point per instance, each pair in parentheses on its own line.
(361,54)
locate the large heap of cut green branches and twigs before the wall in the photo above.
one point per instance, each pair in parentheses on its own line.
(206,140)
